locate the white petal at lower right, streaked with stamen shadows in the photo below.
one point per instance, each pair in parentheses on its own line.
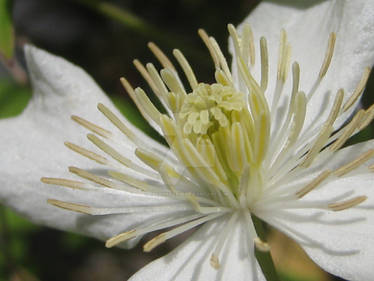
(344,249)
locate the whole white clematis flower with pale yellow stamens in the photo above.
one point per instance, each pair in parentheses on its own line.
(265,139)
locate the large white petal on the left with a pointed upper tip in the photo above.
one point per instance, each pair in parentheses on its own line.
(33,147)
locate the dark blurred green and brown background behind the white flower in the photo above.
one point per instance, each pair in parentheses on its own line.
(103,37)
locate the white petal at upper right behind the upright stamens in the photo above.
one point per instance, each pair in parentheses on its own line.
(308,25)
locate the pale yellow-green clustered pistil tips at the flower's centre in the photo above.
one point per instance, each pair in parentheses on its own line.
(209,107)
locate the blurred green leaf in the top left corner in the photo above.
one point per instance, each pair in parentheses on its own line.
(6,30)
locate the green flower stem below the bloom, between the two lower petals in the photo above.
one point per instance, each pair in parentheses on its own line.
(264,258)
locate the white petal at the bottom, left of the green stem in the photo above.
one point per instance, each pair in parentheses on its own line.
(190,261)
